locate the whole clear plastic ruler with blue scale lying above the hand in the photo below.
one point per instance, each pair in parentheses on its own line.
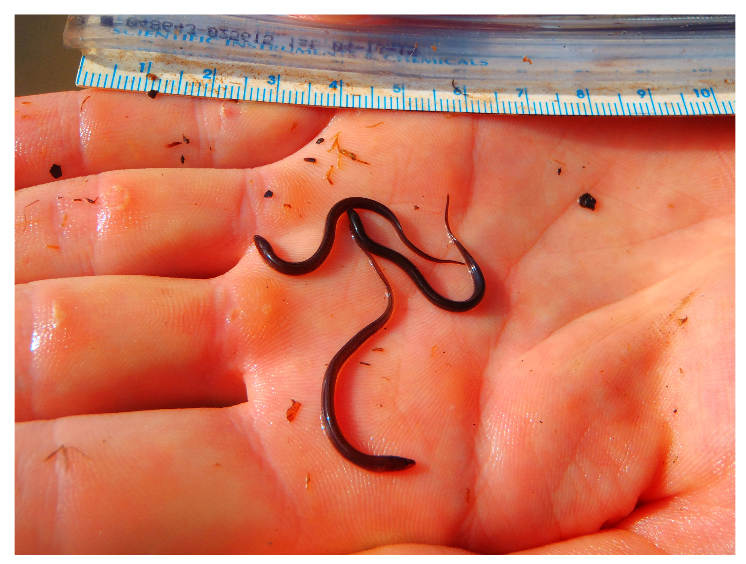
(538,65)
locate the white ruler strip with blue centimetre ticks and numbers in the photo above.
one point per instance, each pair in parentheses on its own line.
(278,85)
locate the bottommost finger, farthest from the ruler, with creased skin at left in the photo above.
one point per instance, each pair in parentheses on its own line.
(175,481)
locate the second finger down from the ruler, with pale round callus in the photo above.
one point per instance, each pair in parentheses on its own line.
(158,222)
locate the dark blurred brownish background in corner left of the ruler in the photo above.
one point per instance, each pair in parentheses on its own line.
(42,63)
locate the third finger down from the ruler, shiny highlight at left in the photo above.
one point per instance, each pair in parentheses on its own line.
(111,343)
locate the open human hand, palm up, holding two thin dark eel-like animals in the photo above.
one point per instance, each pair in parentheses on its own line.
(588,401)
